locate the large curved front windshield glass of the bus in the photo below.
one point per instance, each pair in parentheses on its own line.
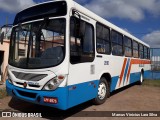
(38,45)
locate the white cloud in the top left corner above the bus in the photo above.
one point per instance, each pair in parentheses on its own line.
(15,5)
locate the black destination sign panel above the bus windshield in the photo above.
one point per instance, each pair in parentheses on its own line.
(46,10)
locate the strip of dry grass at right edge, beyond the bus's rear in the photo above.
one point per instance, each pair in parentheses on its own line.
(155,83)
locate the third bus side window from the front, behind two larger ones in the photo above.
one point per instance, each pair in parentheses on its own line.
(117,43)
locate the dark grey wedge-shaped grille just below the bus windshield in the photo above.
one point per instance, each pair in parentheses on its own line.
(29,76)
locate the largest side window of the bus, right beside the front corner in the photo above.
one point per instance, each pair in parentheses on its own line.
(81,41)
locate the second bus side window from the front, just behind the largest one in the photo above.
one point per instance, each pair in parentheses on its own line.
(103,39)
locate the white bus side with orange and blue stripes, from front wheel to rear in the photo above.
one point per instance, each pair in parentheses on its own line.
(123,70)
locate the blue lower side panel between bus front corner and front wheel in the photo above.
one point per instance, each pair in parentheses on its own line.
(82,92)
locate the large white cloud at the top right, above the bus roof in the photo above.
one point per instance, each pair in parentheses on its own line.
(124,9)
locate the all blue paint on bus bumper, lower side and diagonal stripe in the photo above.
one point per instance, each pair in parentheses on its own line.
(68,96)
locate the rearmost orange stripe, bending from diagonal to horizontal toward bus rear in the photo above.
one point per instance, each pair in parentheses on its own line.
(137,61)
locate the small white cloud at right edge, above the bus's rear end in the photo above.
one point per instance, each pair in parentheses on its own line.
(153,39)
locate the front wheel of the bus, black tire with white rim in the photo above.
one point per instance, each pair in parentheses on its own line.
(103,92)
